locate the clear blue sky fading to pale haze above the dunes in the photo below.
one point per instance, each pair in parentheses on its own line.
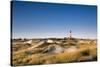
(43,20)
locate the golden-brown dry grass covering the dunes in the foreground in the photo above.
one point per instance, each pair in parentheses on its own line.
(86,51)
